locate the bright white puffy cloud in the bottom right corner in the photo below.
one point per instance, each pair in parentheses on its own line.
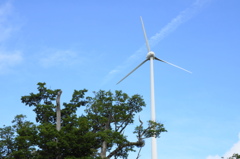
(234,149)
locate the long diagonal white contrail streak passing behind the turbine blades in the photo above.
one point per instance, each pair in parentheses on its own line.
(181,18)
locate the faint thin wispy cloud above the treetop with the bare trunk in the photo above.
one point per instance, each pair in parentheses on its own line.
(51,58)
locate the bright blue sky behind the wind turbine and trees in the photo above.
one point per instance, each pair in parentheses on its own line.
(92,44)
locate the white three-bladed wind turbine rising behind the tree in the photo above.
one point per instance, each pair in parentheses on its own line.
(151,56)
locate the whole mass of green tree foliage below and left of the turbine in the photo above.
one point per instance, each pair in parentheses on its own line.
(97,133)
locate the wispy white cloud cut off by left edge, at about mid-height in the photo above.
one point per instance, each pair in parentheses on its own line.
(9,60)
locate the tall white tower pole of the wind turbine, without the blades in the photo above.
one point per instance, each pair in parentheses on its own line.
(154,140)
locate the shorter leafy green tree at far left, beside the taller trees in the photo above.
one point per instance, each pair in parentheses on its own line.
(17,141)
